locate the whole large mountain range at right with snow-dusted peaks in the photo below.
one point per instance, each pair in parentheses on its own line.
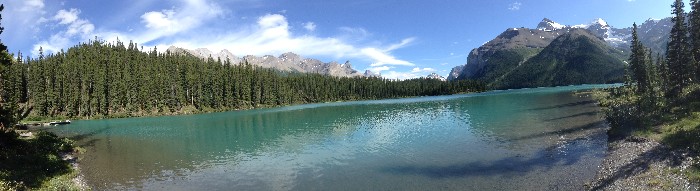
(555,54)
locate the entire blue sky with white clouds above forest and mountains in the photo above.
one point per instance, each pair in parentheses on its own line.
(398,38)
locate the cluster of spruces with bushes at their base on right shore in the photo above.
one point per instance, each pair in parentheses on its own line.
(660,89)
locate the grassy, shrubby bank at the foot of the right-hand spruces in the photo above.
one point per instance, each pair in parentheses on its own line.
(675,124)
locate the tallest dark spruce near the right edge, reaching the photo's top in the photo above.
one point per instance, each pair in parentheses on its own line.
(678,58)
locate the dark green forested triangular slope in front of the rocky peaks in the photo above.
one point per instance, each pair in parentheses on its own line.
(577,57)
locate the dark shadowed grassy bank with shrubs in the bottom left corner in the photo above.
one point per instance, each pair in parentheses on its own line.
(36,163)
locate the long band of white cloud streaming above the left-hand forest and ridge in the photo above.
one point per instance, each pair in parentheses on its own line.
(271,34)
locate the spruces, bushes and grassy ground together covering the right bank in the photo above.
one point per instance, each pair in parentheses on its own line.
(661,98)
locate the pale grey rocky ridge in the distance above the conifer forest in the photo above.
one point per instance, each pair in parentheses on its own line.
(289,62)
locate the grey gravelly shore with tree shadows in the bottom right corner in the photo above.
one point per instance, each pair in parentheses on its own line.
(642,164)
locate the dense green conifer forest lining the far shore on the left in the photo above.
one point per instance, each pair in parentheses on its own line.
(99,79)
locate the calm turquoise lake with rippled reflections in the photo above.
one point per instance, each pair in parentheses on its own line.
(528,139)
